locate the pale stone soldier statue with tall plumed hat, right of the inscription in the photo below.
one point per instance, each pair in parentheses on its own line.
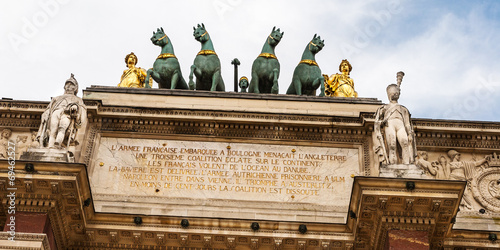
(398,137)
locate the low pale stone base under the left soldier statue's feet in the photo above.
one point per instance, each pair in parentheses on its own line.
(48,154)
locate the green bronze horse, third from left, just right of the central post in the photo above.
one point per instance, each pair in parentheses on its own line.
(266,68)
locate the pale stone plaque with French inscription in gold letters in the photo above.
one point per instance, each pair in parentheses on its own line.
(222,179)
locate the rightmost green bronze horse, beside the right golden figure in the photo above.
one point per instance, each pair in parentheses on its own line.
(307,76)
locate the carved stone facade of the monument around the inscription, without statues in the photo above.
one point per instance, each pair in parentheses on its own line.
(160,168)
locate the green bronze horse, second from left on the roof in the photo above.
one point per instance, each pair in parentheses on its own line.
(206,65)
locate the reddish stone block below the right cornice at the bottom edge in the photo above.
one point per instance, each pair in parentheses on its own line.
(407,239)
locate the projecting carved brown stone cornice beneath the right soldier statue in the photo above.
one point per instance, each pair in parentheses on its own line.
(402,209)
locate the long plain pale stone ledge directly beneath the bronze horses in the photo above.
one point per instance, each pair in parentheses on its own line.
(230,102)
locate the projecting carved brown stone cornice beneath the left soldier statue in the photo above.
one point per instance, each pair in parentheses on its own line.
(35,193)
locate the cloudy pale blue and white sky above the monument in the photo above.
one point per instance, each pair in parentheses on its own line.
(449,50)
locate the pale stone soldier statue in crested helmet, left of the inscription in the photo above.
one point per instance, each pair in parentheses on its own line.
(62,118)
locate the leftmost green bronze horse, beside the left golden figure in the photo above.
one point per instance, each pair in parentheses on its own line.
(166,69)
